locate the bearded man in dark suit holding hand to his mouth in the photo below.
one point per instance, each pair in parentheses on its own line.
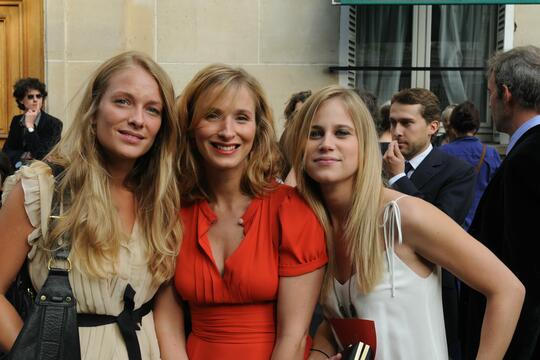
(416,168)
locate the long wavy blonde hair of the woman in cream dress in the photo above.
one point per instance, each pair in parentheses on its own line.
(91,220)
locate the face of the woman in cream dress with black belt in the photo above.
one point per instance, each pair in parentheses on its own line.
(129,115)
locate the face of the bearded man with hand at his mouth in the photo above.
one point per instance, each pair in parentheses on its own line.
(410,129)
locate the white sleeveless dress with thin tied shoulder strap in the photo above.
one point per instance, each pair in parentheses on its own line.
(406,308)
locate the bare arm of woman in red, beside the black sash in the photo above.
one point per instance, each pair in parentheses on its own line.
(169,323)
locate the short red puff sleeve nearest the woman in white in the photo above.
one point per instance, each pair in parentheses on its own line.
(303,246)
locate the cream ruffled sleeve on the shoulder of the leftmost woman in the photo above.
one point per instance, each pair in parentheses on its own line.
(38,183)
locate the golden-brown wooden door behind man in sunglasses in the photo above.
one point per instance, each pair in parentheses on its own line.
(21,52)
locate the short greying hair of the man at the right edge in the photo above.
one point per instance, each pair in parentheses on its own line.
(519,70)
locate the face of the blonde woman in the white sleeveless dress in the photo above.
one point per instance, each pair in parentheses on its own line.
(332,148)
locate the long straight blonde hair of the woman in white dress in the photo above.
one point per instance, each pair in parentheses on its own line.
(361,231)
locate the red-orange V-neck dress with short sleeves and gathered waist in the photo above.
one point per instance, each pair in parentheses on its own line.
(234,316)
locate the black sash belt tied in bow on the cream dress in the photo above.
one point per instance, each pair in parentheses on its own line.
(128,321)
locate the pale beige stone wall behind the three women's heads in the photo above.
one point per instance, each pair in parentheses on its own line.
(288,45)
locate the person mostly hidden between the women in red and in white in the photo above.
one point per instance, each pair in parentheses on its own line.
(292,107)
